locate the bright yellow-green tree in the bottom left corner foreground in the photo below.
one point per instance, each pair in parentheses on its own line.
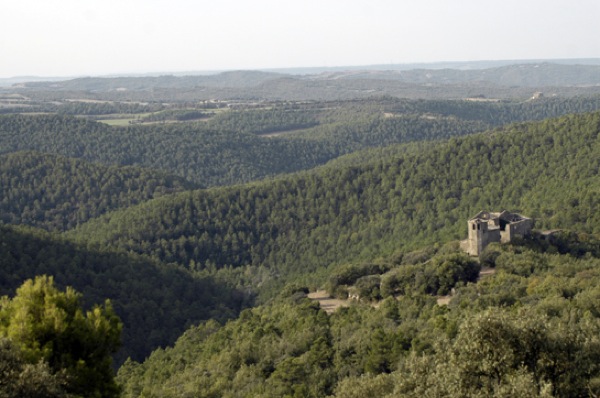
(48,326)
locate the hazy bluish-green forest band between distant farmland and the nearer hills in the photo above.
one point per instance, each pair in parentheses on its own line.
(240,146)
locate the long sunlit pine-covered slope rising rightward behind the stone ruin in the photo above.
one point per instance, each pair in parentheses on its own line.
(301,224)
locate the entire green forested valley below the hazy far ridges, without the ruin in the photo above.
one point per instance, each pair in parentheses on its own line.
(207,224)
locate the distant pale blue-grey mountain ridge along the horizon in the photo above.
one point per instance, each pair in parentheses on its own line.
(529,74)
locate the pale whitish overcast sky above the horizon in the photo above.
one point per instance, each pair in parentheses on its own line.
(101,37)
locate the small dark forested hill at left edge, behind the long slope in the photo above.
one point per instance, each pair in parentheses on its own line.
(58,193)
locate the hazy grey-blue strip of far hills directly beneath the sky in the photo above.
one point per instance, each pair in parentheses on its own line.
(461,80)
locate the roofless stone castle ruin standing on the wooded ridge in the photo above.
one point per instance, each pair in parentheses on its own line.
(487,227)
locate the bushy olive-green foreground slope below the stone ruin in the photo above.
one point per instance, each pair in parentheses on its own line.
(531,329)
